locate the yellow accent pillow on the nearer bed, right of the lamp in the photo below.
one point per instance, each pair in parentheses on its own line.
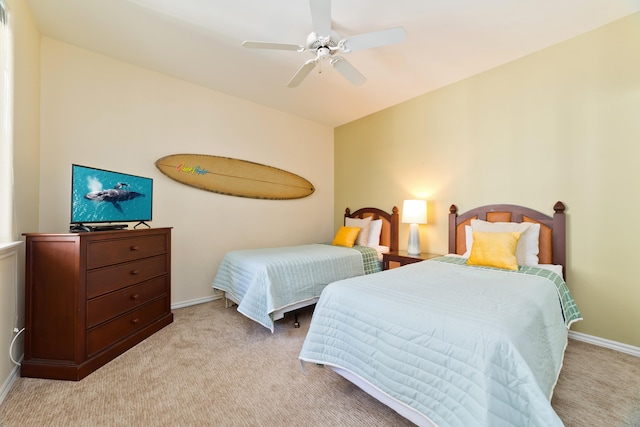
(494,249)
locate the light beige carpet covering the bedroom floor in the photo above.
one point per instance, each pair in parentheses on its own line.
(214,367)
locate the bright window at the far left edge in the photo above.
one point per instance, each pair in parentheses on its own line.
(7,233)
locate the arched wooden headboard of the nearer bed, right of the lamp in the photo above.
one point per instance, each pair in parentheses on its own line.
(552,241)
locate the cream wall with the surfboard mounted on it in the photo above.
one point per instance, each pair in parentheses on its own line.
(100,112)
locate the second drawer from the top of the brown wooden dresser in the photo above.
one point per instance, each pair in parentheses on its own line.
(119,276)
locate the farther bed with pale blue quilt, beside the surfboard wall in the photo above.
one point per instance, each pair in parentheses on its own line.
(267,283)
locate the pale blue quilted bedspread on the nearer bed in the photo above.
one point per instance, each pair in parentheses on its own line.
(461,345)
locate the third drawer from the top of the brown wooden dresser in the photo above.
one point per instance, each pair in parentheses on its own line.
(113,304)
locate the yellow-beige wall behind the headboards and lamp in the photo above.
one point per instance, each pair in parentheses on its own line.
(561,124)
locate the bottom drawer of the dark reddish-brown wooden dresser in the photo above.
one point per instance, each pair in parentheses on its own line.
(109,333)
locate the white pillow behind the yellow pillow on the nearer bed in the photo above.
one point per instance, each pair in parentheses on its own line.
(527,248)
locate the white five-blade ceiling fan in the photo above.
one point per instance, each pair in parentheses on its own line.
(324,44)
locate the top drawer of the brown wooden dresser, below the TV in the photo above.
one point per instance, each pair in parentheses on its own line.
(101,253)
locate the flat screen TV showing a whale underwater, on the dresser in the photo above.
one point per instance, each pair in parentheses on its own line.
(104,197)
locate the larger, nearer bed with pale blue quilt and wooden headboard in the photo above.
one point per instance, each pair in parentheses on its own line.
(450,344)
